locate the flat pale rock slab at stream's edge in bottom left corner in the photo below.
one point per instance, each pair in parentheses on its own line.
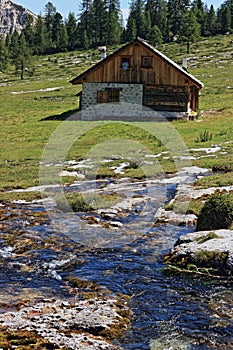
(58,321)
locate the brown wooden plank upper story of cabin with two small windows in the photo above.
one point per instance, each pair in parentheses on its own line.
(138,62)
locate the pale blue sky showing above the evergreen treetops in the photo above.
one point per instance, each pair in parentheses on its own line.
(66,6)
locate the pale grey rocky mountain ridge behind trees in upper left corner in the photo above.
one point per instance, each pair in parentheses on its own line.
(12,17)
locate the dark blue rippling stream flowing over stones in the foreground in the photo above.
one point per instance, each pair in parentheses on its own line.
(169,312)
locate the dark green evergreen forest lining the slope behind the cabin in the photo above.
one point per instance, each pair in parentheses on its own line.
(100,22)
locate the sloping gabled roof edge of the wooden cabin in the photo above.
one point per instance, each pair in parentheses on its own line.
(79,78)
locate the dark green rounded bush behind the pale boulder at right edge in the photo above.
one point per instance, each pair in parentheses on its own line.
(217,213)
